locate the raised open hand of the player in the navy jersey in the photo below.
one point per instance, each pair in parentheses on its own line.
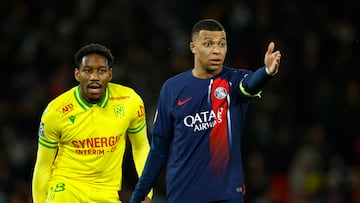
(272,59)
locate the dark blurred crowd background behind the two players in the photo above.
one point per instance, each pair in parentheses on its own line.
(302,140)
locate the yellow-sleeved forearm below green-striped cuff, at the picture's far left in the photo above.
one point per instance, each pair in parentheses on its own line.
(42,173)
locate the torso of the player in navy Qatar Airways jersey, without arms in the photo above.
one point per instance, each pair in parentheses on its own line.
(202,110)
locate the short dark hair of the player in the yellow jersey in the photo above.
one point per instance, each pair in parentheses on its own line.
(93,48)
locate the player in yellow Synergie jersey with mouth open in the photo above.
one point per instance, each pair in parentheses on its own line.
(83,132)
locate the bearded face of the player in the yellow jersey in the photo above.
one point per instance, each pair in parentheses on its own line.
(93,75)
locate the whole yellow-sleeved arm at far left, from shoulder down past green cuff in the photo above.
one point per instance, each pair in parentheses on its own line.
(47,149)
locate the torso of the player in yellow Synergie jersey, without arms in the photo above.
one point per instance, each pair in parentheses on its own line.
(93,137)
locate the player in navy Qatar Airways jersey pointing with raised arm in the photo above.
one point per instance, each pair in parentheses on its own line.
(199,123)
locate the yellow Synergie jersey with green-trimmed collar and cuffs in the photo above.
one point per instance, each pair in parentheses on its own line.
(90,139)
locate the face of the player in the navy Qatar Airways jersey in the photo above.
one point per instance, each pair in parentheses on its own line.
(209,49)
